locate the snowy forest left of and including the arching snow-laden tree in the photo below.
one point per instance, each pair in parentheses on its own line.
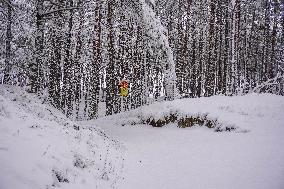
(79,51)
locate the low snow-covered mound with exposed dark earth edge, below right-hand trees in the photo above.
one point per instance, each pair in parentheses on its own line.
(222,113)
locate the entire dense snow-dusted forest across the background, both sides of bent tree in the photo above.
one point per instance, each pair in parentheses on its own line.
(74,53)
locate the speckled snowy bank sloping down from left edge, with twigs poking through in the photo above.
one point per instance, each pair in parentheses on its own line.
(41,148)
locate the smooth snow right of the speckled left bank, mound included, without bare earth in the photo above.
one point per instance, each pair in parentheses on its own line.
(198,157)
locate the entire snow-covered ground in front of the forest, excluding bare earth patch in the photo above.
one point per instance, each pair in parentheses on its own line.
(41,148)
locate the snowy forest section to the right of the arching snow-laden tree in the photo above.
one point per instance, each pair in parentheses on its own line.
(225,47)
